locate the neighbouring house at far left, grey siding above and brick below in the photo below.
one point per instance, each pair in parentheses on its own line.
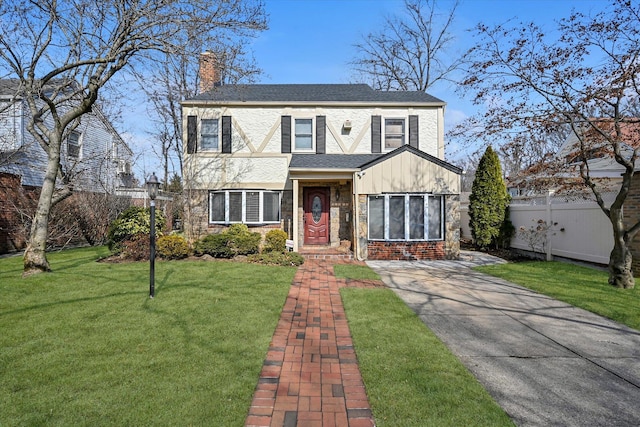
(94,157)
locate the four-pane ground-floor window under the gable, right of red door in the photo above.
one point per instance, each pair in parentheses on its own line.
(405,217)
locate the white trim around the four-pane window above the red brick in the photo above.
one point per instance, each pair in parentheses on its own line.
(407,217)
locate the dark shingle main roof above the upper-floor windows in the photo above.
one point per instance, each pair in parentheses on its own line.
(312,93)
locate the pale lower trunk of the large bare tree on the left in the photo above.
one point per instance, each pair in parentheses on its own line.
(35,257)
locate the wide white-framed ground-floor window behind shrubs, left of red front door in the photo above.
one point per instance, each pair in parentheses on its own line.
(244,206)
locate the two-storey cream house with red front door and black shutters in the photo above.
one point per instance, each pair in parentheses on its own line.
(332,164)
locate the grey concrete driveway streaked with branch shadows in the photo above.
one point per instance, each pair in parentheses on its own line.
(545,362)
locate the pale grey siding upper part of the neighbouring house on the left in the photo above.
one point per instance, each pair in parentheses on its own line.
(93,154)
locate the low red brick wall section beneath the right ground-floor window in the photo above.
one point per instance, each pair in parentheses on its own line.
(406,251)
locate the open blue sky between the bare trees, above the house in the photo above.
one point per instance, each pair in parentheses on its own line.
(311,41)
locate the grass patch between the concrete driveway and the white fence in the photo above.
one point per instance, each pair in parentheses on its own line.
(579,286)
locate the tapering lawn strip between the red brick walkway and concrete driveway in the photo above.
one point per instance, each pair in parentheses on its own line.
(411,378)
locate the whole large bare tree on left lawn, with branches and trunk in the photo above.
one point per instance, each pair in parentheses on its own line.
(65,52)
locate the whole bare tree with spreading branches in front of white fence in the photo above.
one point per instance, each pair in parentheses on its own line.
(584,77)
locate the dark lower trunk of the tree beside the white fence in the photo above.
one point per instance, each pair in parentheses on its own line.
(620,272)
